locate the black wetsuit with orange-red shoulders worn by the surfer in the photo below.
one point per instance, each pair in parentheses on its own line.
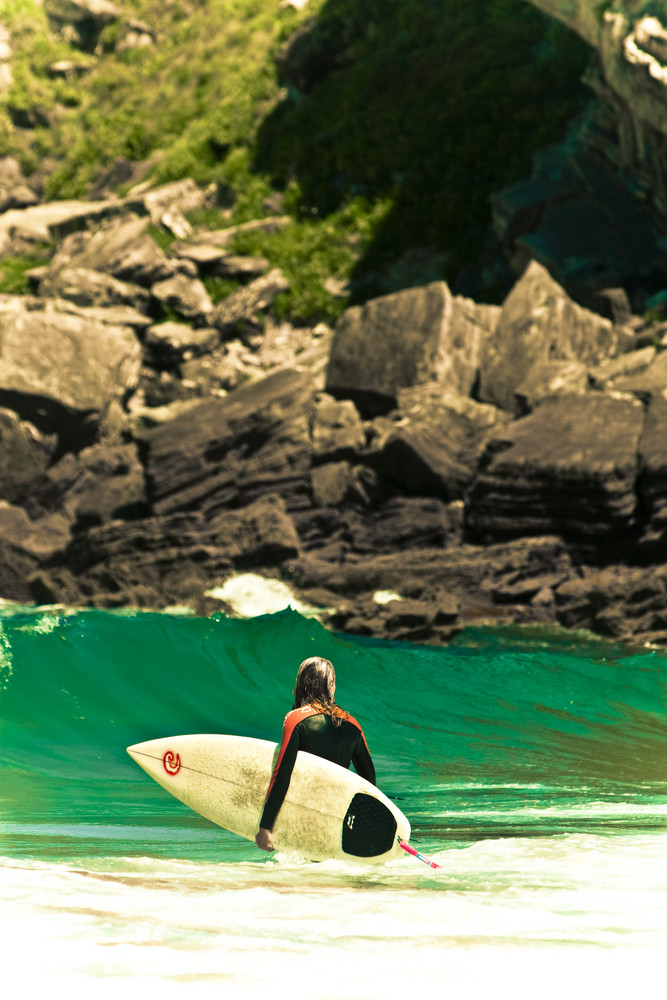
(308,729)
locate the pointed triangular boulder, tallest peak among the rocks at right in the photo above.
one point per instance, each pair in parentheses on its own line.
(538,325)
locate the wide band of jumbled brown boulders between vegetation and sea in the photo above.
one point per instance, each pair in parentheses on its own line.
(429,462)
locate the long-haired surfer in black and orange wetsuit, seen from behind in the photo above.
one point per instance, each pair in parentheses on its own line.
(319,726)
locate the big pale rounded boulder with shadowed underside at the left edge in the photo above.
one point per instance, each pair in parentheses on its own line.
(57,369)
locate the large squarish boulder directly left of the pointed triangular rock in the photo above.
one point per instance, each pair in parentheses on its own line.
(399,340)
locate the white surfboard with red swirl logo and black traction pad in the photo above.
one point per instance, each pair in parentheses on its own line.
(328,812)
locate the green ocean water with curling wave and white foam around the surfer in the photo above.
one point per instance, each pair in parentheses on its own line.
(531,762)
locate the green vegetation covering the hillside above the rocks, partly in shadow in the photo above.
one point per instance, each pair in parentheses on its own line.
(413,114)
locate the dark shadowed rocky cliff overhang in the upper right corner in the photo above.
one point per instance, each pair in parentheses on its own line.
(595,210)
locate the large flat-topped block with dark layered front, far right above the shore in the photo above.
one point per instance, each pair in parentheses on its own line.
(568,469)
